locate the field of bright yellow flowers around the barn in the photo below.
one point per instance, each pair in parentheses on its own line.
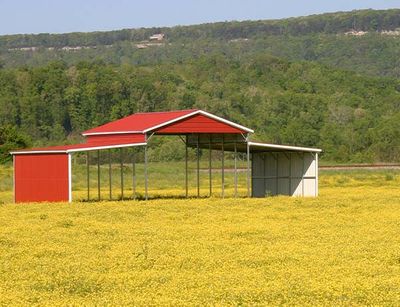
(342,248)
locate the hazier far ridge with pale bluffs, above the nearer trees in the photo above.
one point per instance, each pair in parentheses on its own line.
(366,41)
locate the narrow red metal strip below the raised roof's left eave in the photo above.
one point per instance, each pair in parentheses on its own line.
(115,139)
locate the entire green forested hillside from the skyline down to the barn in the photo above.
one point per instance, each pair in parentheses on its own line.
(334,83)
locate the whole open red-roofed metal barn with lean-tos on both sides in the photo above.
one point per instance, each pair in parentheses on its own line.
(45,174)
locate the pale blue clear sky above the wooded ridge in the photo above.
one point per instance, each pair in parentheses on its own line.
(61,16)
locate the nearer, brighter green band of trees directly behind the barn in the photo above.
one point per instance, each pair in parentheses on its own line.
(352,117)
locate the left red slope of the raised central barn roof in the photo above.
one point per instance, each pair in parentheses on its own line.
(138,122)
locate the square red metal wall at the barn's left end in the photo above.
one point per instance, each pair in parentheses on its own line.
(41,177)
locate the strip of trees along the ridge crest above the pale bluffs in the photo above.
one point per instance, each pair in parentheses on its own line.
(330,23)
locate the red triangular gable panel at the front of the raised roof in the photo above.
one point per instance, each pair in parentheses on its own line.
(198,124)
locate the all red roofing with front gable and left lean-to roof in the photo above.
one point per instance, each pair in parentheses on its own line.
(131,130)
